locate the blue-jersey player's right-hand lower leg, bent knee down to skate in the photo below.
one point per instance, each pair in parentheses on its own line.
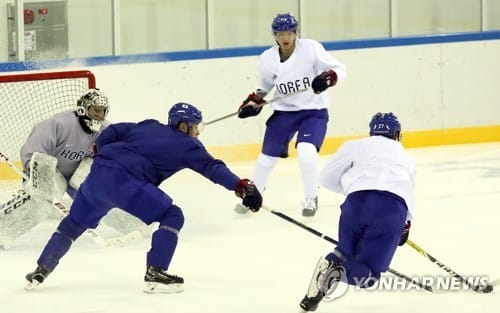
(163,245)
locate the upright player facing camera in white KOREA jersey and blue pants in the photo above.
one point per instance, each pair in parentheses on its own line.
(292,66)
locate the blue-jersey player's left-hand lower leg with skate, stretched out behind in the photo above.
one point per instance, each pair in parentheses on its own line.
(57,246)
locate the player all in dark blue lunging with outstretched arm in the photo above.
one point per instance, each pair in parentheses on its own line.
(132,160)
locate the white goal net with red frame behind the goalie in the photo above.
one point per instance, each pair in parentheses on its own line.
(25,100)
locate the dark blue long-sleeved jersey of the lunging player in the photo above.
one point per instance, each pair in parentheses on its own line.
(152,151)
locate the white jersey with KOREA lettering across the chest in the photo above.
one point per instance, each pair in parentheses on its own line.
(308,59)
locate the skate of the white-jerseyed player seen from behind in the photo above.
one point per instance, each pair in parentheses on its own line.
(325,277)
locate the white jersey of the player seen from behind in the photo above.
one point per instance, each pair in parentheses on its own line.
(372,163)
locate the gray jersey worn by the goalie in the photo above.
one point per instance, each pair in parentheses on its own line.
(63,137)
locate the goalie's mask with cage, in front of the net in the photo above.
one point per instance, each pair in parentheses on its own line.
(92,108)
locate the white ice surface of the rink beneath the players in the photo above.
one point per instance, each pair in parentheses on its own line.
(261,263)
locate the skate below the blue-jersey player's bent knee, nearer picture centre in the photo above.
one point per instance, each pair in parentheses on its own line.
(159,281)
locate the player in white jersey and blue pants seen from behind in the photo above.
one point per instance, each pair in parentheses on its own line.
(378,178)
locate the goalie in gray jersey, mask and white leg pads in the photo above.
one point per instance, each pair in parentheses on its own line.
(56,157)
